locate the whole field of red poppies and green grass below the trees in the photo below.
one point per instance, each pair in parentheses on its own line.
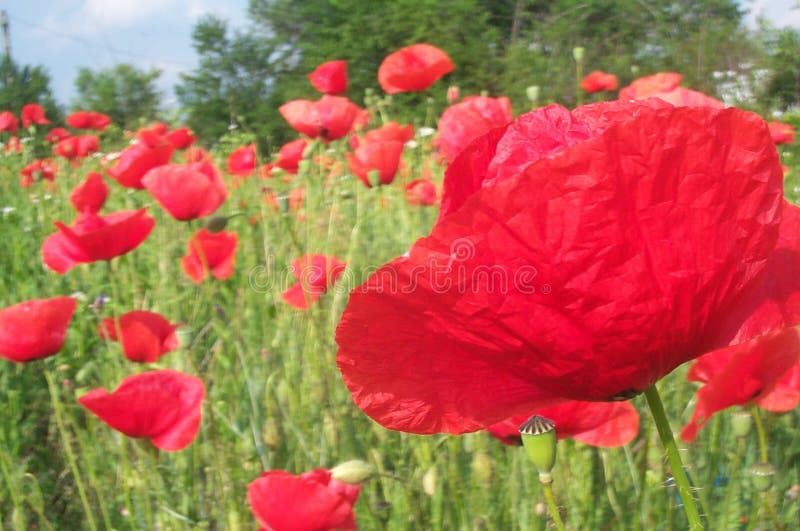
(354,331)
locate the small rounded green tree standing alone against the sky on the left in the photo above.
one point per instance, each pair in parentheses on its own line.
(125,93)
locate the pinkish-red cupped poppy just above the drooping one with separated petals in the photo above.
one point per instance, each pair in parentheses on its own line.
(186,191)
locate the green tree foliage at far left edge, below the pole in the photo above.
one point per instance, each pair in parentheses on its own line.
(24,84)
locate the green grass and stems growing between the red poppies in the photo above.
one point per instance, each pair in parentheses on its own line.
(275,399)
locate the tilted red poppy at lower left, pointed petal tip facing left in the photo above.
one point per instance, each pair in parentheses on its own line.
(163,406)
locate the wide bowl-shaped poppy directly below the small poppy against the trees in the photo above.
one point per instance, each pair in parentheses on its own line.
(329,118)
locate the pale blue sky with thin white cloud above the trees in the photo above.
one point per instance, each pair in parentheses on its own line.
(64,35)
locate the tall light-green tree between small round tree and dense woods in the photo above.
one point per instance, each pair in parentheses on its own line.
(232,85)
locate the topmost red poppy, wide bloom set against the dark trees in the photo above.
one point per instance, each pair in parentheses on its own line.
(413,68)
